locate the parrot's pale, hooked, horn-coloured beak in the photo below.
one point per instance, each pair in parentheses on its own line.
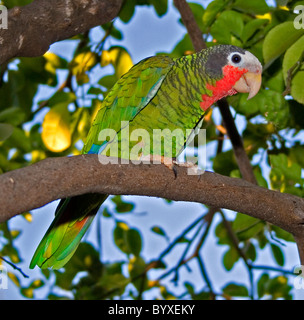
(249,82)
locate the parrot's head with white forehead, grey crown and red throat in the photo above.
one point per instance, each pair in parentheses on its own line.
(232,70)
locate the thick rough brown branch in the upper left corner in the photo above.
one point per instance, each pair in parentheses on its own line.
(34,27)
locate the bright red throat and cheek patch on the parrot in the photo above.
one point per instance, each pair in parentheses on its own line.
(223,87)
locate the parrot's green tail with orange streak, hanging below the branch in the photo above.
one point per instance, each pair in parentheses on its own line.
(73,216)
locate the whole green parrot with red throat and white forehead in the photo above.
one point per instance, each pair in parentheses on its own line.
(157,93)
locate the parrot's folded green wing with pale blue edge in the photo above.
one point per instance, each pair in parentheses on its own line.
(128,97)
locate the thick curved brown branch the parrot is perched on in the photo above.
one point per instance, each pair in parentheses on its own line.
(54,178)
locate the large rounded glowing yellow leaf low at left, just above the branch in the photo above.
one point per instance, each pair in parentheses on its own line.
(56,134)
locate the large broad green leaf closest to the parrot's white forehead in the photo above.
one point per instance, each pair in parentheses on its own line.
(273,45)
